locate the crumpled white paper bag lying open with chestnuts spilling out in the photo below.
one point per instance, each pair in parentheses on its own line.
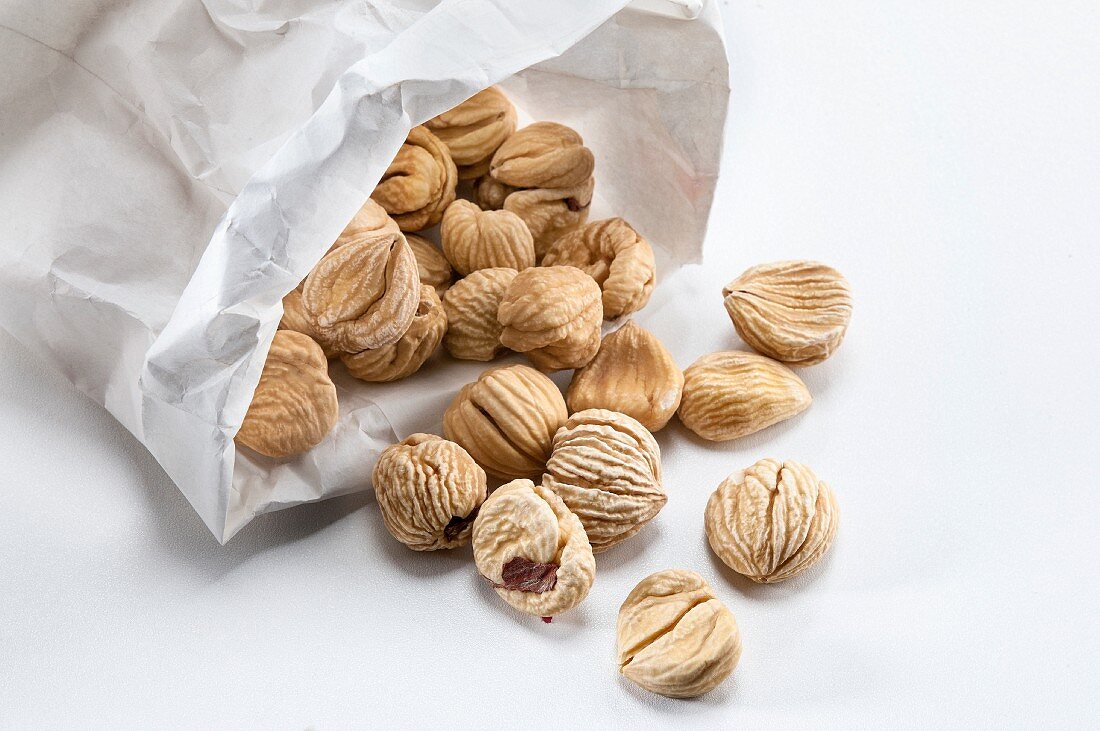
(171,170)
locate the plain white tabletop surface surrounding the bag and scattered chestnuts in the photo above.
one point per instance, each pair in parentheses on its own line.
(945,157)
